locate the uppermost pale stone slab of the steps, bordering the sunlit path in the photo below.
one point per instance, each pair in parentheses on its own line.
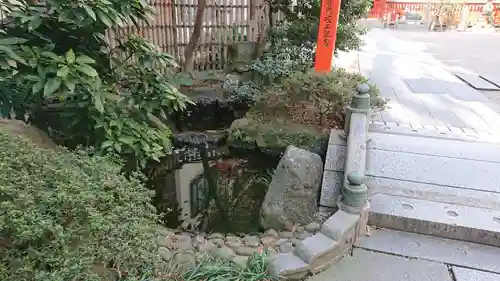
(436,147)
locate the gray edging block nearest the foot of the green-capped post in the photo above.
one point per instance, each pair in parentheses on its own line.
(340,226)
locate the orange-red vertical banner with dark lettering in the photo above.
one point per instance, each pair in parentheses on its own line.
(327,33)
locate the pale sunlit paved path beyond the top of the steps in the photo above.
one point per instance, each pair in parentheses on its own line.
(421,92)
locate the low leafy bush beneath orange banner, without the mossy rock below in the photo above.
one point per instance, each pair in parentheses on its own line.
(312,98)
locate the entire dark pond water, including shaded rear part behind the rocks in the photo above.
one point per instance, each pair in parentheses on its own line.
(224,193)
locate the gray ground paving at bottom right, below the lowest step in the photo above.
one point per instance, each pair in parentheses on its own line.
(399,256)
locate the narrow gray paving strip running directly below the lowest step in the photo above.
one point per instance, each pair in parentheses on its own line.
(443,250)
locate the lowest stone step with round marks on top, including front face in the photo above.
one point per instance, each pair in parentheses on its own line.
(434,218)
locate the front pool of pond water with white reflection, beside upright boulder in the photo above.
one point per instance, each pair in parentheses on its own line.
(226,199)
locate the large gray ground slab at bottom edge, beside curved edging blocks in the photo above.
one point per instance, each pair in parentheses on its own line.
(370,266)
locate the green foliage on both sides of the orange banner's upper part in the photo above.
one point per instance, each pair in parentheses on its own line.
(301,22)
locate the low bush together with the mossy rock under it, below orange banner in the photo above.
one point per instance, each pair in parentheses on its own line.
(300,110)
